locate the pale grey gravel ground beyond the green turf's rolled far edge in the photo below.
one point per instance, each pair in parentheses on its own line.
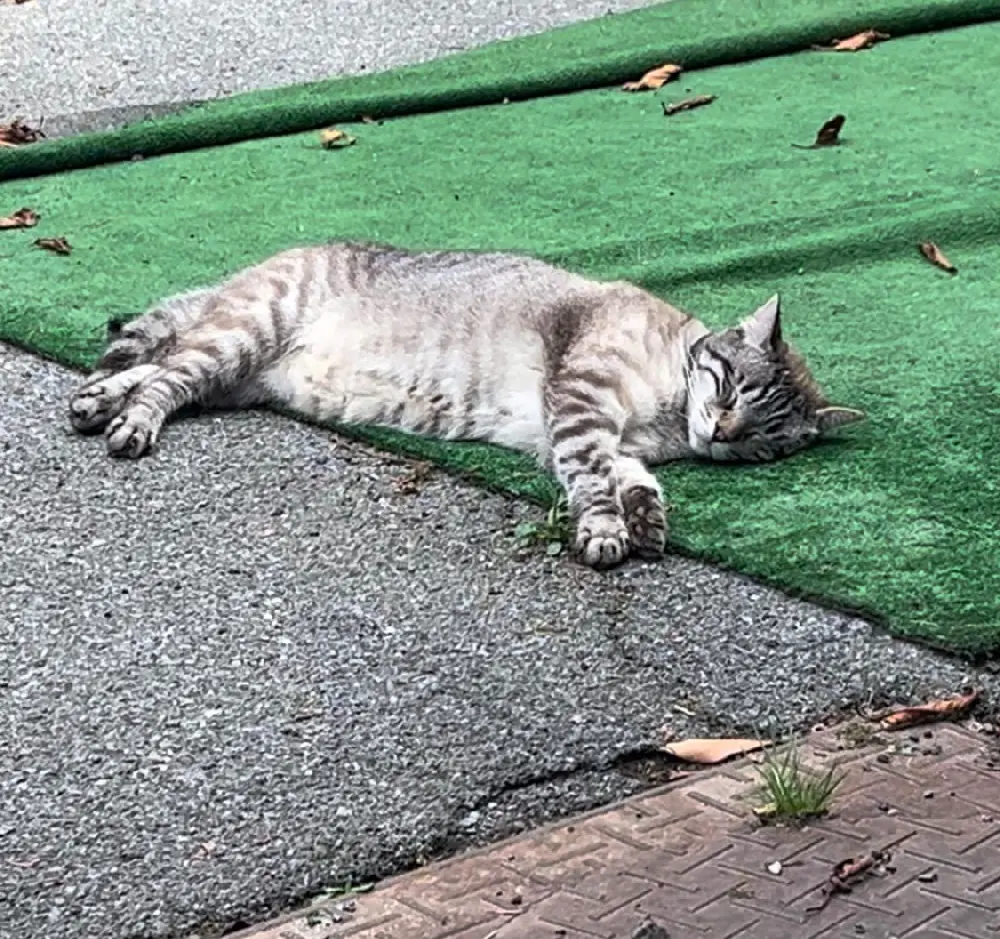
(62,57)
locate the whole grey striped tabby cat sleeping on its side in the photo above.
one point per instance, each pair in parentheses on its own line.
(596,380)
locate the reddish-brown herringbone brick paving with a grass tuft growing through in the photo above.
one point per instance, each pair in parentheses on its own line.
(691,861)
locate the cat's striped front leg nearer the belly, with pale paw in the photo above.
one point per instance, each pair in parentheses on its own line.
(585,423)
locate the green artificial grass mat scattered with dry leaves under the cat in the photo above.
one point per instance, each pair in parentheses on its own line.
(714,209)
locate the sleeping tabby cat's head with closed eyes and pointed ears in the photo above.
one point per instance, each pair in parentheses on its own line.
(751,397)
